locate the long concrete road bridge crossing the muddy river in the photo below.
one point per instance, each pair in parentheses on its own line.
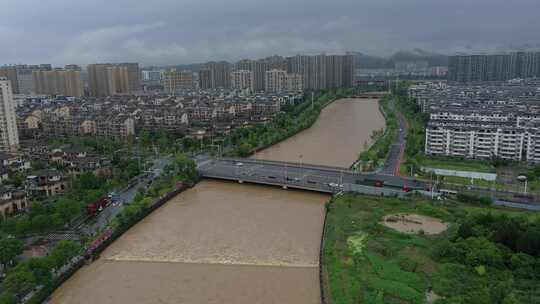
(317,178)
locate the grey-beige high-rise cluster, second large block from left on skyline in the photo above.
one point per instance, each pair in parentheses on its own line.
(111,79)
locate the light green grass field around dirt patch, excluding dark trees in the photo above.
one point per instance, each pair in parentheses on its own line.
(367,262)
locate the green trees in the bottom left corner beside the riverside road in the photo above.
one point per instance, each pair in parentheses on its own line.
(37,271)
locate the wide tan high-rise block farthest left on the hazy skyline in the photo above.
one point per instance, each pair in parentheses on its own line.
(65,81)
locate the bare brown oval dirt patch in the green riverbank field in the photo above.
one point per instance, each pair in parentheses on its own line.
(414,223)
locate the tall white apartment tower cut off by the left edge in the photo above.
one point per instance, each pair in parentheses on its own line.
(9,136)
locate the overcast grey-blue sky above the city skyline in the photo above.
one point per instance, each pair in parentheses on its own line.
(189,31)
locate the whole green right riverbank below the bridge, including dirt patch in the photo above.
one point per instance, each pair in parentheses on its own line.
(368,261)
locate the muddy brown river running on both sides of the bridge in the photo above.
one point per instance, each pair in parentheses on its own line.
(223,242)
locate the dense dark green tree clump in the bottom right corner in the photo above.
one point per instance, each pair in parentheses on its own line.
(490,259)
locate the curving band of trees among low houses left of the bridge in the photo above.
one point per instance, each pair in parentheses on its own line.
(51,214)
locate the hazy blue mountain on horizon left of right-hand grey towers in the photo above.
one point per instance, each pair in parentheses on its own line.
(374,62)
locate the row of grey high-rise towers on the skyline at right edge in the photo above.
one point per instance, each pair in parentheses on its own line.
(494,67)
